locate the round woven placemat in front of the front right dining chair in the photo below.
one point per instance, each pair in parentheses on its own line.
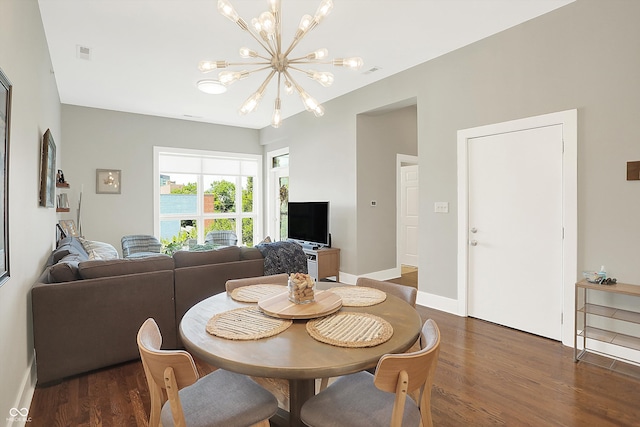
(350,329)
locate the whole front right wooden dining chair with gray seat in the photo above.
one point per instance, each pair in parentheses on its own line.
(367,400)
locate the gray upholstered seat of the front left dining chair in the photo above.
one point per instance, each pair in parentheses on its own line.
(224,399)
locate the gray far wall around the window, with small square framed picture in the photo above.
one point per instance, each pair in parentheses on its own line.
(103,139)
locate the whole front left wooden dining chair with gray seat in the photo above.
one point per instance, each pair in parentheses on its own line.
(180,398)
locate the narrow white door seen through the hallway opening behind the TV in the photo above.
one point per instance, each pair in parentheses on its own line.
(408,250)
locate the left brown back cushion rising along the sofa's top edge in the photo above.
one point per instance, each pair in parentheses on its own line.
(119,267)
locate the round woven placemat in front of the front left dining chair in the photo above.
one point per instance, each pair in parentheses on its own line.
(246,323)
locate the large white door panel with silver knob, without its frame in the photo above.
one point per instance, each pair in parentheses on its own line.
(515,275)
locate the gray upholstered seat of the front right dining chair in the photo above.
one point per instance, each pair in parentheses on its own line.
(353,400)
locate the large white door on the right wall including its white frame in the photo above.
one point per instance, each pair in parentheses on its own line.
(517,223)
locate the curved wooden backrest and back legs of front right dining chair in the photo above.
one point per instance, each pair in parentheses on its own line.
(406,372)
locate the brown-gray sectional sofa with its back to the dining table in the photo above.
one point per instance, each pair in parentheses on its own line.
(86,313)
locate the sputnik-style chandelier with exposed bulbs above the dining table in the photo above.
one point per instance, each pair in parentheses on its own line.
(267,31)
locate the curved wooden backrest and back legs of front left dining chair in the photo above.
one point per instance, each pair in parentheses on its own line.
(170,370)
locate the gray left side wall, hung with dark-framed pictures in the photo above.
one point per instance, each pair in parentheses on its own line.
(24,57)
